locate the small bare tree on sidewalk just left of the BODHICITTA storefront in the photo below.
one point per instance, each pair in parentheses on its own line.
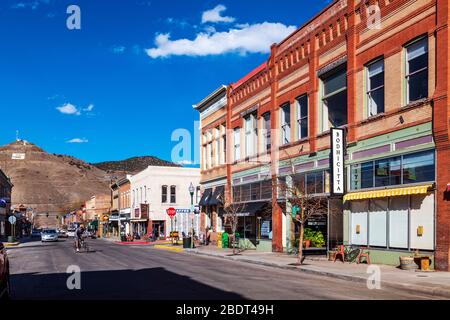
(304,206)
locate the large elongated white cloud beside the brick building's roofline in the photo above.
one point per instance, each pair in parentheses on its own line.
(256,38)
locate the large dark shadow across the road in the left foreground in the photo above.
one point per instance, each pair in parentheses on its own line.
(145,284)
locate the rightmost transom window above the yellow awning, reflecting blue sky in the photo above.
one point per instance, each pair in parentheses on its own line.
(418,167)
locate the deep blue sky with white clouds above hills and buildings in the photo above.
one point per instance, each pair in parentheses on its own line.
(122,84)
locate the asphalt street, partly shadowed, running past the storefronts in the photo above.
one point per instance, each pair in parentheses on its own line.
(114,271)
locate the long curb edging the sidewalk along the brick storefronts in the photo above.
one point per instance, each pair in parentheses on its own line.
(437,292)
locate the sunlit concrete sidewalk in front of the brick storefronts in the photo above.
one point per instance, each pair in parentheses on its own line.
(434,283)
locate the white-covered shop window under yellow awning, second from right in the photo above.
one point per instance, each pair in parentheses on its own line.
(398,222)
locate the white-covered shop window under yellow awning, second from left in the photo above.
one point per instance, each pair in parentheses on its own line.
(377,222)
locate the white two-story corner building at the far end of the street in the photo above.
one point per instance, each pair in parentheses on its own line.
(157,189)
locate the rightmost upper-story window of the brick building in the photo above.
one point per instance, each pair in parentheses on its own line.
(417,70)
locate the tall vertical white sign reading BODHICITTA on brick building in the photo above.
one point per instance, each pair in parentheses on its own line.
(337,162)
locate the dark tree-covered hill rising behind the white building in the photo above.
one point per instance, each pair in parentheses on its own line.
(132,165)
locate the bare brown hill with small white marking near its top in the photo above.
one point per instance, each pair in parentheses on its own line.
(49,182)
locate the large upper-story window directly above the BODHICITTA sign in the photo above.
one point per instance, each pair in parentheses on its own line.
(334,98)
